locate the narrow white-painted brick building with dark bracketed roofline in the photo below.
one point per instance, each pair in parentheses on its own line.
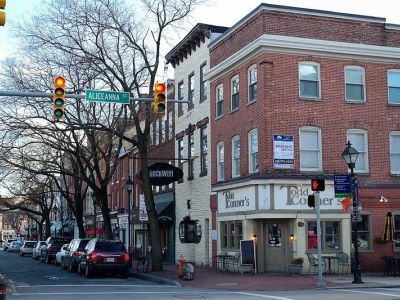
(190,59)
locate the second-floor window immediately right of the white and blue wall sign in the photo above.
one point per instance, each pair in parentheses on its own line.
(310,149)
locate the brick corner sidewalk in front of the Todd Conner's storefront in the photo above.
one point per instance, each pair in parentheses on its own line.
(210,279)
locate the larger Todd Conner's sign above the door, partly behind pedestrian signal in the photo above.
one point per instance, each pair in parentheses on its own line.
(293,196)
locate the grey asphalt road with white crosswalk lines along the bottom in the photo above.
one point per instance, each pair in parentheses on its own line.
(34,280)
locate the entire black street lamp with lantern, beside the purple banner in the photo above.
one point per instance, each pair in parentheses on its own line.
(350,156)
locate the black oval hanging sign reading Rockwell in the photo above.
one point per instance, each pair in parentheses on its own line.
(163,174)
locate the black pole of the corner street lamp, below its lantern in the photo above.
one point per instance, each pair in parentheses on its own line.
(357,266)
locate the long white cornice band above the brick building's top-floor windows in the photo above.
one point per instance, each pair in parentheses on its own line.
(303,46)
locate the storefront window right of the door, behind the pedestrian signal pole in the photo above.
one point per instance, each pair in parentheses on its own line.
(331,236)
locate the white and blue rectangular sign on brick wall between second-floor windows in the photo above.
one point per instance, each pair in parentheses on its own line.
(283,151)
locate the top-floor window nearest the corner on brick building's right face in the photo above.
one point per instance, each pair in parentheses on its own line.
(310,82)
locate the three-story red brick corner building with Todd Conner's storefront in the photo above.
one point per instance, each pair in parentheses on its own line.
(289,86)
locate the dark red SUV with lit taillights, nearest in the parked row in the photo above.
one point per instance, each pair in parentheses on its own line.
(104,256)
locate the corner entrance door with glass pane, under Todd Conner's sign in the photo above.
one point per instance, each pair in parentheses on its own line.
(275,246)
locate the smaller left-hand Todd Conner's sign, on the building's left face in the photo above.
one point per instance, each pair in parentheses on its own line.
(242,199)
